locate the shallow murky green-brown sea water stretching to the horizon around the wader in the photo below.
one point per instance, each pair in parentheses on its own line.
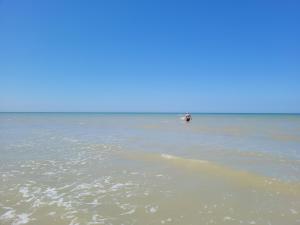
(89,168)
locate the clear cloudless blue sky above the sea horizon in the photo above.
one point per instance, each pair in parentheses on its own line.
(150,56)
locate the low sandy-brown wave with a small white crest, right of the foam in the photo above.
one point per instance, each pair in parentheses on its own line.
(221,172)
